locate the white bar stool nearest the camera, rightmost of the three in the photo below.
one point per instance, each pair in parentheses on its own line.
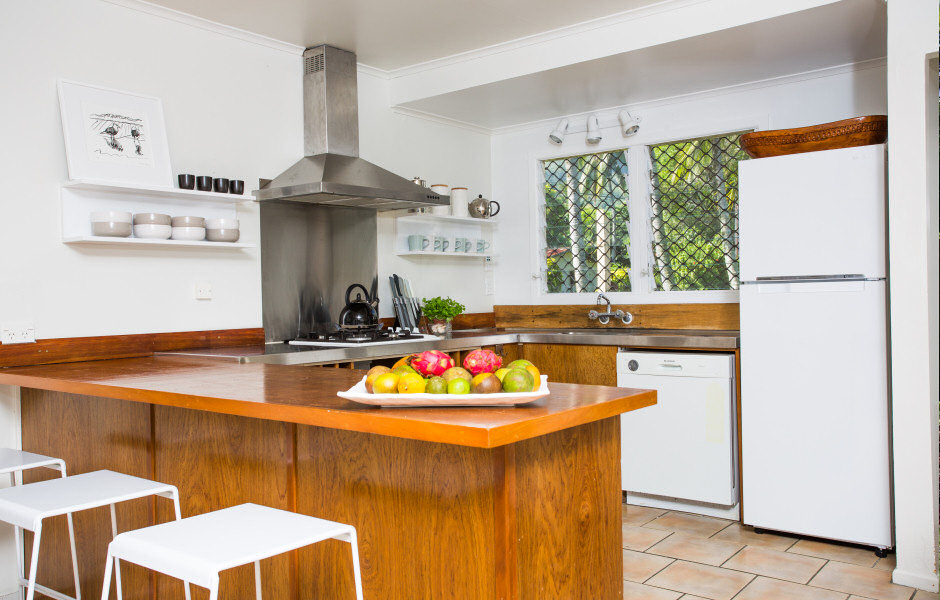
(197,548)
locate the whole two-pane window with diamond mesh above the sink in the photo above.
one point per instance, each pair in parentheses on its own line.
(689,211)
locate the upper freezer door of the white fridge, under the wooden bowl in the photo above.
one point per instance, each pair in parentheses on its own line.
(819,213)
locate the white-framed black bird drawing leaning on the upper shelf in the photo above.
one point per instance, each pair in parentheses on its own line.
(114,136)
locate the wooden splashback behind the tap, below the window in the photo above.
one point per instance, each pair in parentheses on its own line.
(645,316)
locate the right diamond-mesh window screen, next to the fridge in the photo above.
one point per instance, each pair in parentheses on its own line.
(694,213)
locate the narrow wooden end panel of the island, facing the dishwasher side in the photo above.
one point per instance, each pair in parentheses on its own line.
(569,513)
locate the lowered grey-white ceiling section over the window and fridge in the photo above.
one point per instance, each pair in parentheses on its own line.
(836,34)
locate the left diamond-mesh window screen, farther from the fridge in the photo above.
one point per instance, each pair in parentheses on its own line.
(587,234)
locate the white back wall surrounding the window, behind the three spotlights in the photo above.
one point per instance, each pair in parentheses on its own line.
(792,102)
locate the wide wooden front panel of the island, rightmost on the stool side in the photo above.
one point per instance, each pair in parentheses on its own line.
(423,512)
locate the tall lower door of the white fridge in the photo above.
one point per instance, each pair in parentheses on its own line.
(814,409)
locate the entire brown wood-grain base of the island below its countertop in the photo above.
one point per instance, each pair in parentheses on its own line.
(530,520)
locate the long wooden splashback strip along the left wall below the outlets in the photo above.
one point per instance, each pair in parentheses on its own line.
(121,346)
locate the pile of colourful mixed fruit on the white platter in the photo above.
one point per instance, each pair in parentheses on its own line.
(435,372)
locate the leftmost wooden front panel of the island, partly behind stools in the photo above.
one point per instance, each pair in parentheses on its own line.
(89,433)
